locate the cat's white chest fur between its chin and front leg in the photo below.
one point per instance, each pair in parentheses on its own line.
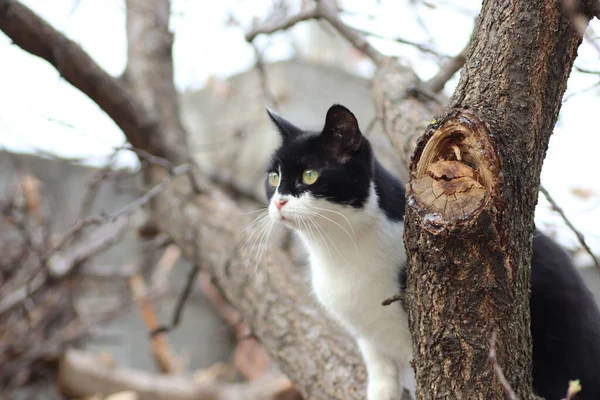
(355,269)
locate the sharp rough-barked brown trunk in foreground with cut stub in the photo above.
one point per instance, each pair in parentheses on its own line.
(473,186)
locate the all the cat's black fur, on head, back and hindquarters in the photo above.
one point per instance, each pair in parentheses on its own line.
(565,321)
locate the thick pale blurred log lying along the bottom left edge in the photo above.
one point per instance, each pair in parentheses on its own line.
(83,374)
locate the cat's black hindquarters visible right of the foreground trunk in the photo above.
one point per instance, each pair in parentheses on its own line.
(565,325)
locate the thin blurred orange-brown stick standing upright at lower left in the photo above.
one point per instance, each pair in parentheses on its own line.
(161,351)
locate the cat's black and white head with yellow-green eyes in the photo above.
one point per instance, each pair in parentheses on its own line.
(322,173)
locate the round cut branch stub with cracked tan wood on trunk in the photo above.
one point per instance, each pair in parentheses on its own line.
(454,170)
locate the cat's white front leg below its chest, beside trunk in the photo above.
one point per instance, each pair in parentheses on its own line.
(383,374)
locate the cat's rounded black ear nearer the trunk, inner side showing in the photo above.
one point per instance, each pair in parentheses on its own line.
(341,132)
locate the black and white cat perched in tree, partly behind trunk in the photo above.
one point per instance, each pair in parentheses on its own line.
(348,211)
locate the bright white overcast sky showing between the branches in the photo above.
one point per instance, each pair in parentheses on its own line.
(41,111)
